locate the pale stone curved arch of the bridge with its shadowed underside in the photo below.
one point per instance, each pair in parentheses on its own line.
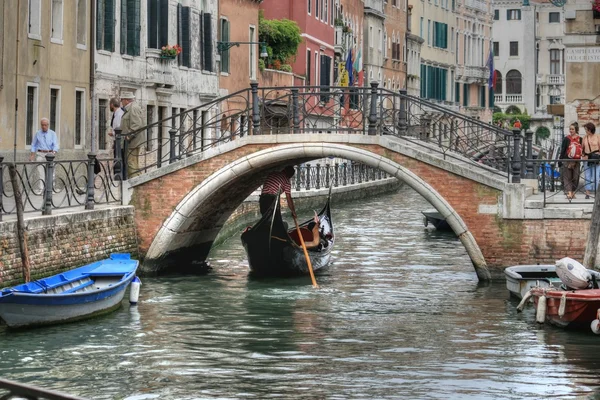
(211,202)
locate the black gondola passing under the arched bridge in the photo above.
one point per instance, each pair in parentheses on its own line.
(274,250)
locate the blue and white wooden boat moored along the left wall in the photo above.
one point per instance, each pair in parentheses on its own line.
(83,292)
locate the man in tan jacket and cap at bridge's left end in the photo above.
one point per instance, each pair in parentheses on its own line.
(132,121)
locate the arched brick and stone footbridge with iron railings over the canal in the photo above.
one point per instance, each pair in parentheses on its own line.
(216,156)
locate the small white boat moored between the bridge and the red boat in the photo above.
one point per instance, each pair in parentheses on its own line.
(521,278)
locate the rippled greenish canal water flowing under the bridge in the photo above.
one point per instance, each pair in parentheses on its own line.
(400,314)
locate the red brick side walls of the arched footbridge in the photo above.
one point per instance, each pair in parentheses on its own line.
(503,242)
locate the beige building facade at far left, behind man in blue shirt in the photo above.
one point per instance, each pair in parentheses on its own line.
(45,51)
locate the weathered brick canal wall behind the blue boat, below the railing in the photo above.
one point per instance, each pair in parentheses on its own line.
(63,242)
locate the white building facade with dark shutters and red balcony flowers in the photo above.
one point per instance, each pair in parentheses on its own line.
(129,37)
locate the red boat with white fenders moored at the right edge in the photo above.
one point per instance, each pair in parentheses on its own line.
(566,308)
